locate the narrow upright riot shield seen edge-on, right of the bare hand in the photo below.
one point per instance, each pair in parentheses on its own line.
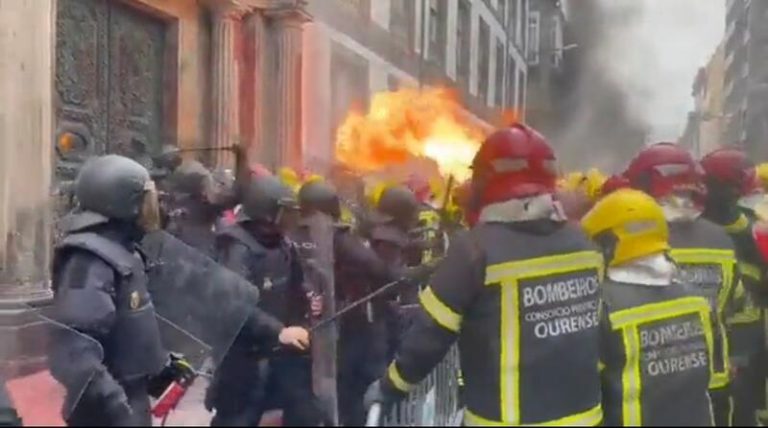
(314,239)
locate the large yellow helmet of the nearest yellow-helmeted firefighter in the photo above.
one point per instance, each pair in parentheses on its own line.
(630,221)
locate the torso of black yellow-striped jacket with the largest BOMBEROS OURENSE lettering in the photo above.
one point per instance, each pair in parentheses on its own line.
(529,344)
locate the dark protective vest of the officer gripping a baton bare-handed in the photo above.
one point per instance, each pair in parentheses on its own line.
(269,269)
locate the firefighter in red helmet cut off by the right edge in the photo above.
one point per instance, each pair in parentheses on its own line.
(733,188)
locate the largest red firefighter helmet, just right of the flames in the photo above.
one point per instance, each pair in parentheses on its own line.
(512,163)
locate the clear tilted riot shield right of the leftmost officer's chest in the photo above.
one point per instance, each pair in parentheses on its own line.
(202,305)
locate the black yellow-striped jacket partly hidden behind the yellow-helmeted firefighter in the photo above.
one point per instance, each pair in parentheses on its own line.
(707,260)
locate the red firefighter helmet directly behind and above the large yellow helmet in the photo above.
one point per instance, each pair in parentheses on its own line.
(663,169)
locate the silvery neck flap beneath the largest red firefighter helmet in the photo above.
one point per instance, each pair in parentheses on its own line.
(525,209)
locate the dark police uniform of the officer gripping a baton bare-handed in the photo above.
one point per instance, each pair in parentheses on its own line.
(249,380)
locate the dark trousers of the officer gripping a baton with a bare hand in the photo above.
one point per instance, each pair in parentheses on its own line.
(284,382)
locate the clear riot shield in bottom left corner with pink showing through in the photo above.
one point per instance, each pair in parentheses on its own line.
(48,371)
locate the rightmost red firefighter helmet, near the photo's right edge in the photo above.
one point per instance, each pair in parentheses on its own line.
(732,168)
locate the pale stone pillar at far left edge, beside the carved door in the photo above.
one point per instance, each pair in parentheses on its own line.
(26,133)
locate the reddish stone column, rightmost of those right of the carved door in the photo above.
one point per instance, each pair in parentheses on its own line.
(287,101)
